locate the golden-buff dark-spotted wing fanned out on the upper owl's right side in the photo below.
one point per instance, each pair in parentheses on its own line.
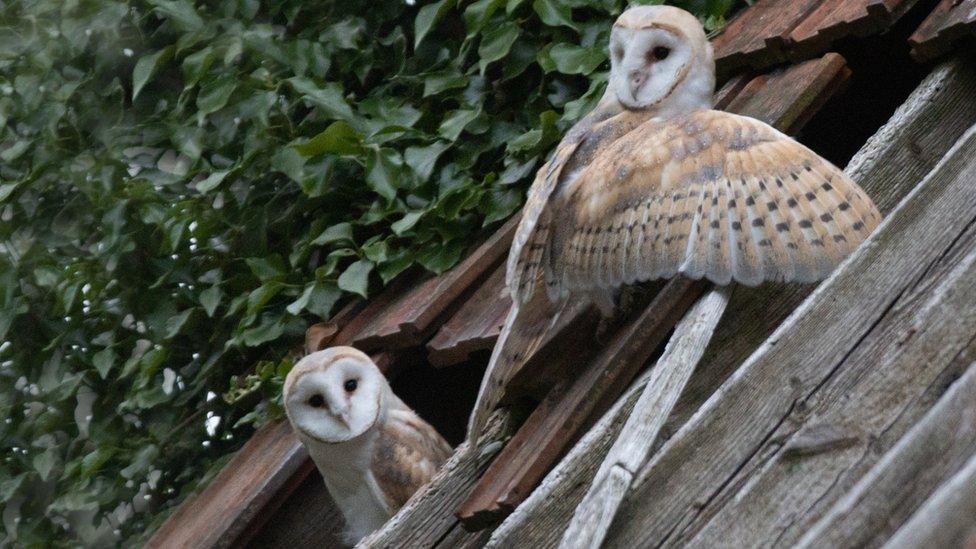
(710,194)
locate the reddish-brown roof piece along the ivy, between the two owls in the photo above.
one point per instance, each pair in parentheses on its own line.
(410,317)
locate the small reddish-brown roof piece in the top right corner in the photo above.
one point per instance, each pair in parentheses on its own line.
(949,23)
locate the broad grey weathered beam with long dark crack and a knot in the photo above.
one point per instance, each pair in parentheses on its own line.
(838,356)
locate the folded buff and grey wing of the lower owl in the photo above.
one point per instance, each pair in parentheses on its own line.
(408,453)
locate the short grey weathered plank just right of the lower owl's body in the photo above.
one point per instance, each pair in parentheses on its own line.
(426,520)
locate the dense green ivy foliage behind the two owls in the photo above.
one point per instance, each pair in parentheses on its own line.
(185,186)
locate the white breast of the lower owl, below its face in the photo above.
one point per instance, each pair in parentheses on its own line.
(345,468)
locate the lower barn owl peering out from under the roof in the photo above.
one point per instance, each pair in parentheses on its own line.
(373,451)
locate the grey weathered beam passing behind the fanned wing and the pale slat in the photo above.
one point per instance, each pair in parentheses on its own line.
(901,152)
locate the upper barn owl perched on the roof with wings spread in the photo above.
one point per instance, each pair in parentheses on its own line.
(654,183)
